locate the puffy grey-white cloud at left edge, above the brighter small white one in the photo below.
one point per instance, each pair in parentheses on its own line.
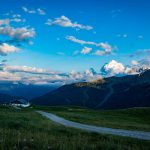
(22,33)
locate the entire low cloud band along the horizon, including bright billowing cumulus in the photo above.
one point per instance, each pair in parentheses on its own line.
(40,76)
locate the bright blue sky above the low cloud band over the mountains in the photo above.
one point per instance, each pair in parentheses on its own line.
(116,29)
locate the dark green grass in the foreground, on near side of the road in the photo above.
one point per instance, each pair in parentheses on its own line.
(25,129)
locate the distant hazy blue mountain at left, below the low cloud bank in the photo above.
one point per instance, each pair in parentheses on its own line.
(27,91)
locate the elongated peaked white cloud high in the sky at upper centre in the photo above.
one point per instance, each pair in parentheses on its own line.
(63,21)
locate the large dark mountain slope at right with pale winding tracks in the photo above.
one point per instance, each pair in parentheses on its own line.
(112,92)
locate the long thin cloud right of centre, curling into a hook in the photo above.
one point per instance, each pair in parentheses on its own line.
(106,48)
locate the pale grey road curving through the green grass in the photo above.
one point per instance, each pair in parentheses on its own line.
(127,133)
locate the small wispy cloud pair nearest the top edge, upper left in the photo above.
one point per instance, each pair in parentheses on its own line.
(34,11)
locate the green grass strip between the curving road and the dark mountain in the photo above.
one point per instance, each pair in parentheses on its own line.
(131,119)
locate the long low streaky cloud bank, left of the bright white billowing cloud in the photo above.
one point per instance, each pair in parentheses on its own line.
(33,75)
